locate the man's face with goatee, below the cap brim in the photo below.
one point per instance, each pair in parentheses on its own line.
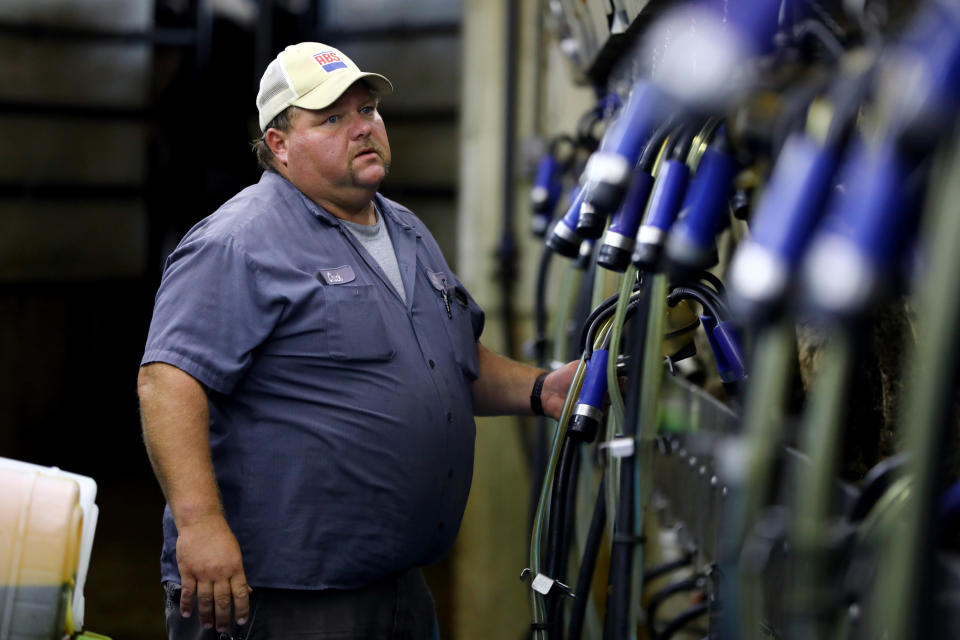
(341,153)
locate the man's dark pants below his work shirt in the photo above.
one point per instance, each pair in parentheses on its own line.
(396,608)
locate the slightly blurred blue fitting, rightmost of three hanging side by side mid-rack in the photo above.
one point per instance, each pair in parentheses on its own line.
(691,243)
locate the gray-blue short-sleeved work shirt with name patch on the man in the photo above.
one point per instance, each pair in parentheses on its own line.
(341,418)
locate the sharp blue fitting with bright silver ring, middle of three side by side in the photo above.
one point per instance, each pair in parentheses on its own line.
(665,202)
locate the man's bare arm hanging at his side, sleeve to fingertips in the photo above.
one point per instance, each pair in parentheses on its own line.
(176,431)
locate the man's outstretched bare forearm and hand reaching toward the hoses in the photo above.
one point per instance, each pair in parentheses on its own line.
(503,386)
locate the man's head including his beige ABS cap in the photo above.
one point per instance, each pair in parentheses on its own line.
(327,138)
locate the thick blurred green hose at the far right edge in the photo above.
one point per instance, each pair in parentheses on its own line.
(903,573)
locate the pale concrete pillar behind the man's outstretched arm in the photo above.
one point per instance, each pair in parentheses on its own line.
(491,551)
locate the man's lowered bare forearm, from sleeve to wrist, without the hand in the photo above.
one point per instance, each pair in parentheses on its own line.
(176,431)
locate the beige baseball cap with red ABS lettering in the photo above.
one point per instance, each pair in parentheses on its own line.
(311,75)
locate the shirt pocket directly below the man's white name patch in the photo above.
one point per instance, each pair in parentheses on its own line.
(354,323)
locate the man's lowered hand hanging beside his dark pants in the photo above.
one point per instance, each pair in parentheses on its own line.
(211,567)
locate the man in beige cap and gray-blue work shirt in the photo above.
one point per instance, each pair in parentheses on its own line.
(309,383)
